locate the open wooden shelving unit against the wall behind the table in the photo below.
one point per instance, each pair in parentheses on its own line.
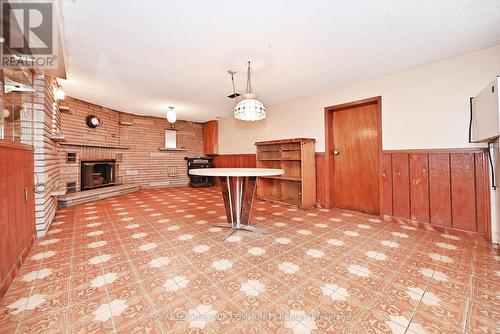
(296,157)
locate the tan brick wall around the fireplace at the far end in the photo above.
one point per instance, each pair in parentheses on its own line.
(132,140)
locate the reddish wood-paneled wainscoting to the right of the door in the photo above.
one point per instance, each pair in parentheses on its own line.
(446,190)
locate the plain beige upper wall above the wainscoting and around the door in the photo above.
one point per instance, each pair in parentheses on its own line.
(423,107)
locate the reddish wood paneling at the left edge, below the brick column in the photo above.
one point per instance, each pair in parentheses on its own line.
(17,209)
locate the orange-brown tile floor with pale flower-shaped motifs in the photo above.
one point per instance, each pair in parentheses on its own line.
(152,262)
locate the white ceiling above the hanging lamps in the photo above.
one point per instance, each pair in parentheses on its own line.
(143,56)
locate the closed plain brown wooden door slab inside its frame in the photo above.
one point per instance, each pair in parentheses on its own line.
(356,132)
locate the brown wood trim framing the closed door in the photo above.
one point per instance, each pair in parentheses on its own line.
(329,144)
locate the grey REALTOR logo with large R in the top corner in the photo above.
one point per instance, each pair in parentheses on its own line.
(29,31)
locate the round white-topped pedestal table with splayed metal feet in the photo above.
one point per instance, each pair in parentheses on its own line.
(238,188)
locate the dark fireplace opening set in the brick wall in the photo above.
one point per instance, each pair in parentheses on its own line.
(97,174)
